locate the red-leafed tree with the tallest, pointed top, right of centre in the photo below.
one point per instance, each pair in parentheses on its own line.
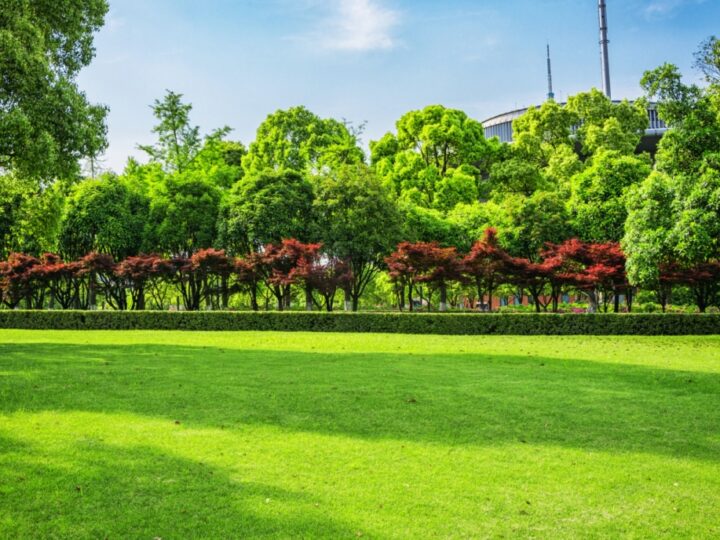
(486,265)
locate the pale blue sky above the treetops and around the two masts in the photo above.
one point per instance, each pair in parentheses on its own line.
(370,61)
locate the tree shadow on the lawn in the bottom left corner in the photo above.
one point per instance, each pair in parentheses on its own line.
(138,492)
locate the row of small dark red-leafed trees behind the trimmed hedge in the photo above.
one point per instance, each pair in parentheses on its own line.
(209,277)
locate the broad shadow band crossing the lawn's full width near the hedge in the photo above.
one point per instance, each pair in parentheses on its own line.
(454,399)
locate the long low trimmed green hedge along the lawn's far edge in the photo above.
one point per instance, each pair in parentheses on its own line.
(396,323)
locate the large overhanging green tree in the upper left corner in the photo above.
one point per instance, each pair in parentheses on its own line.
(47,125)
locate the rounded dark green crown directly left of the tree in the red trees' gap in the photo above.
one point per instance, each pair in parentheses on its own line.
(266,208)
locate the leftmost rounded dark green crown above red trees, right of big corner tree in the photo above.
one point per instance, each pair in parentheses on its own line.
(103,215)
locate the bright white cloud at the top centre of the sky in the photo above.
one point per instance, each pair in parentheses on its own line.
(358,25)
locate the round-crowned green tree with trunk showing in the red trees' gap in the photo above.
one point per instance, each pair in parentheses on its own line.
(357,223)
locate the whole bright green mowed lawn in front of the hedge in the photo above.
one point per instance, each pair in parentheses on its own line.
(236,435)
